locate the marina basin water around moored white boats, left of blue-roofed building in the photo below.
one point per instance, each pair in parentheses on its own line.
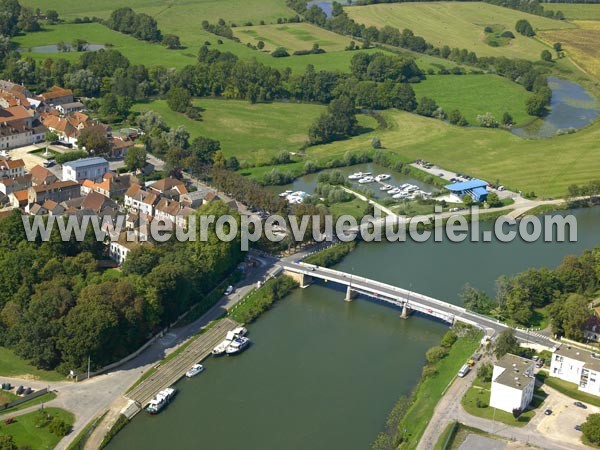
(307,183)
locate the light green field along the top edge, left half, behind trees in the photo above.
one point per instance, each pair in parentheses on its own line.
(172,15)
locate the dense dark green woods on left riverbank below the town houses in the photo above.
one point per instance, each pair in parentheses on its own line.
(57,308)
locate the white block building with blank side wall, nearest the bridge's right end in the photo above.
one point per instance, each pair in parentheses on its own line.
(513,382)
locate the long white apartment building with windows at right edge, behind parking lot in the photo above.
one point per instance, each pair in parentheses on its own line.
(578,366)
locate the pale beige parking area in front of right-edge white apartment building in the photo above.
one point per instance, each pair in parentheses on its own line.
(560,425)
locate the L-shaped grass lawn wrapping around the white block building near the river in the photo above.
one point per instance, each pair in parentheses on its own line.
(479,392)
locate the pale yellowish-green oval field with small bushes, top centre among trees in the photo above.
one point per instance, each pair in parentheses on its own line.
(292,36)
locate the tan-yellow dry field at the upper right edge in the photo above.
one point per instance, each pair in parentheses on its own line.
(580,44)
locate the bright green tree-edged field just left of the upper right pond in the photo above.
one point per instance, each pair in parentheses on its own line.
(476,94)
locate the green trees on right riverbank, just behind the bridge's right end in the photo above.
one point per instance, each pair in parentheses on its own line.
(565,291)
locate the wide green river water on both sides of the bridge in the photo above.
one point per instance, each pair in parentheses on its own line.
(323,373)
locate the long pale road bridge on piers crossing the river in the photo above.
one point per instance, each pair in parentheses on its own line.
(406,300)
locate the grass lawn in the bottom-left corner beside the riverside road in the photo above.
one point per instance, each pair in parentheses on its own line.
(26,433)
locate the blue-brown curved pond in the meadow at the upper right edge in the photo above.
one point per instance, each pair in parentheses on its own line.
(572,107)
